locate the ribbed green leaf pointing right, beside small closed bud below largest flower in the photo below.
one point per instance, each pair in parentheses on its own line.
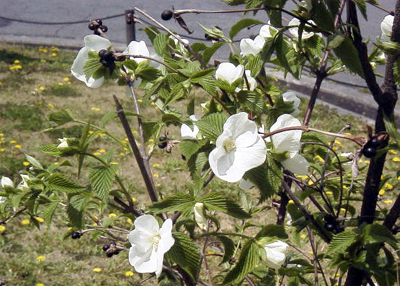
(215,201)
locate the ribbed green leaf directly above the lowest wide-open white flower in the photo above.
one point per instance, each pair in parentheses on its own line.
(178,202)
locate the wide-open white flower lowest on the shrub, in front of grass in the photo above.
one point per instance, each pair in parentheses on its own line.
(149,243)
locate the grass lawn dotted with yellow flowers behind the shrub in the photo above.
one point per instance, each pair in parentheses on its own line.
(44,84)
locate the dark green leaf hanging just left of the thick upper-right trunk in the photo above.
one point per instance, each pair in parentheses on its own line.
(348,54)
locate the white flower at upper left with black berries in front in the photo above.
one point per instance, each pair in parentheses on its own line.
(92,43)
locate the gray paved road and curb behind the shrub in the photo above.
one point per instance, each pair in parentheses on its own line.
(345,91)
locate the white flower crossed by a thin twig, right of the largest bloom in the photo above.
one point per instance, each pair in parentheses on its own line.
(287,143)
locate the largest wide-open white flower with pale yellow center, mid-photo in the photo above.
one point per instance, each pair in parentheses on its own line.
(238,149)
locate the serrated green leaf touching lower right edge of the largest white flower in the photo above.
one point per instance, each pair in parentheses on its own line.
(267,178)
